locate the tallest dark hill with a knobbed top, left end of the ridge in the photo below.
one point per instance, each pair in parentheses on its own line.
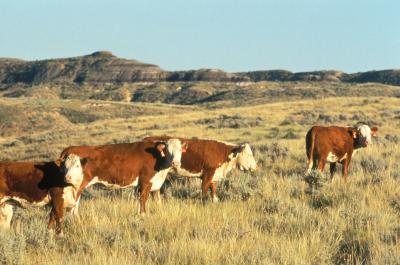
(99,67)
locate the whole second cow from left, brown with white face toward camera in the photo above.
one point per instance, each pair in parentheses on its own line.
(127,165)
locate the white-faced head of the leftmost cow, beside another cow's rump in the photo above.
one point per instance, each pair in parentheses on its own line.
(71,168)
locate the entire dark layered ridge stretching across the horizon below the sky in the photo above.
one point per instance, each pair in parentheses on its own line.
(104,67)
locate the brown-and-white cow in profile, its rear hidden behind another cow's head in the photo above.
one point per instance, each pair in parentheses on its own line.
(211,161)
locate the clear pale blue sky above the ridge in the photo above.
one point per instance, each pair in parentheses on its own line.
(235,35)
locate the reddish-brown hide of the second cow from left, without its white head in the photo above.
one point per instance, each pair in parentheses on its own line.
(121,164)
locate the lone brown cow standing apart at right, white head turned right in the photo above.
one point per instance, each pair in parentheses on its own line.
(336,144)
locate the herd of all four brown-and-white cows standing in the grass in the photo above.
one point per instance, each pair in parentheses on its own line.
(146,164)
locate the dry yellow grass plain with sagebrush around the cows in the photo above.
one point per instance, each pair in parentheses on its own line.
(272,216)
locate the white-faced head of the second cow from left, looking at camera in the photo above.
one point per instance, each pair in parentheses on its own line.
(172,151)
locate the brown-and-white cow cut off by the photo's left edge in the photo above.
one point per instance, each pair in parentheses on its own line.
(27,184)
